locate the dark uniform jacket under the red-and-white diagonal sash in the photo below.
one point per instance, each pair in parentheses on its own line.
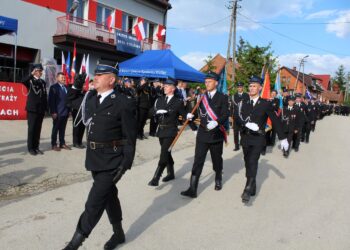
(219,104)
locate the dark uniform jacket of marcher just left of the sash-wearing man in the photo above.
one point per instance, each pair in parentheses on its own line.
(168,122)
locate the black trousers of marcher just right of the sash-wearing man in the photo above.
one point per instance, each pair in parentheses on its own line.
(251,159)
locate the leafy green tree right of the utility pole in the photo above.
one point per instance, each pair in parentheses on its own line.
(252,59)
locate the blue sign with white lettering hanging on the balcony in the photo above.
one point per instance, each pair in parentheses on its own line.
(127,43)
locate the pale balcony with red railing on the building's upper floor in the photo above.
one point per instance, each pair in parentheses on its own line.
(95,35)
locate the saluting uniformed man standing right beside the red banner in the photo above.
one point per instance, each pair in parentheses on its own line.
(36,107)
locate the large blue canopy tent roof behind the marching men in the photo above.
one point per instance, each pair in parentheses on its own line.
(159,64)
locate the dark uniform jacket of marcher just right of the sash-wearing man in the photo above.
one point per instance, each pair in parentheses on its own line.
(257,114)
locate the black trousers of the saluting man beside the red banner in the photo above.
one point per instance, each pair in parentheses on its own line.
(35,121)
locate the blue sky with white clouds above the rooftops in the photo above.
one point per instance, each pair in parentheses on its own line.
(317,28)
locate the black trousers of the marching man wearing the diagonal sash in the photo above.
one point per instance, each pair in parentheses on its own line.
(201,152)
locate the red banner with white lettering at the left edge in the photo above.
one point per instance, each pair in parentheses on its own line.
(13,97)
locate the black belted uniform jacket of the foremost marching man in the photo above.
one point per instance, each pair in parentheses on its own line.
(112,120)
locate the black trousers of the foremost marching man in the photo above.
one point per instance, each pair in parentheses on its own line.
(103,196)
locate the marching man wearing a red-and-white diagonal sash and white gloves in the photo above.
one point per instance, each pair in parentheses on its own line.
(214,112)
